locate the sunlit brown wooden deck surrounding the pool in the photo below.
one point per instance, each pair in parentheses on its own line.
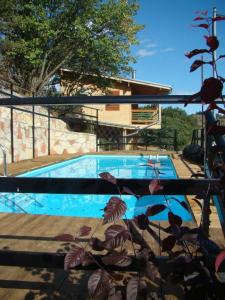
(37,232)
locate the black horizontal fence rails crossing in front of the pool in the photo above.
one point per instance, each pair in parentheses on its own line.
(99,186)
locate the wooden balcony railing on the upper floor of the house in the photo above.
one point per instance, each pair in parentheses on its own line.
(144,116)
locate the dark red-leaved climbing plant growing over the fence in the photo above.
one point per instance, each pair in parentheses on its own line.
(193,262)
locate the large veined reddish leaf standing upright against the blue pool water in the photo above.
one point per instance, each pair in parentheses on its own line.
(114,210)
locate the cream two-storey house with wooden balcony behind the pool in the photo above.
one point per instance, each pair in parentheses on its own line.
(118,123)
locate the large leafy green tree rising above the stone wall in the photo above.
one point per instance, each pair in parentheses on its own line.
(91,37)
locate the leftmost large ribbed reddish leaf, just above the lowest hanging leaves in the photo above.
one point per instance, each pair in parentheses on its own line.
(74,257)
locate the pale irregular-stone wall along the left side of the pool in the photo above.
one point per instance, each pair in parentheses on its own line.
(62,140)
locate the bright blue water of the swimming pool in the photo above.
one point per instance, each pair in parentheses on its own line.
(89,166)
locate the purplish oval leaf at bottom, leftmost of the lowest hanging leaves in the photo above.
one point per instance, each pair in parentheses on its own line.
(98,284)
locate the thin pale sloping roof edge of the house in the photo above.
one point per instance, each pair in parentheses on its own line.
(136,82)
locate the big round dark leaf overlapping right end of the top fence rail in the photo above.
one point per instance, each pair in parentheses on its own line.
(211,90)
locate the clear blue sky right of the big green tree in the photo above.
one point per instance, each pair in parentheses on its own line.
(167,36)
